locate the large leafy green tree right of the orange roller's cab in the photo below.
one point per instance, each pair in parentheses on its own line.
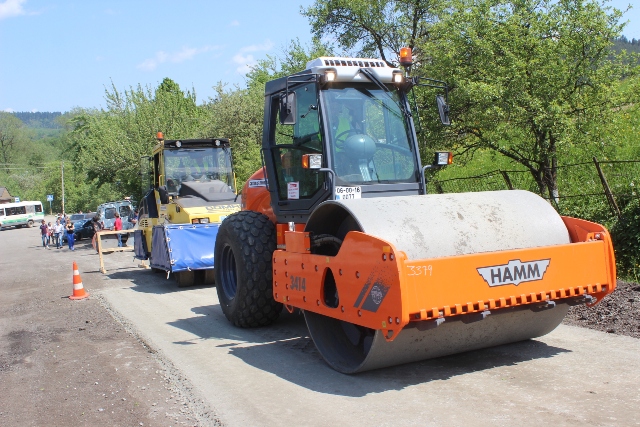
(529,78)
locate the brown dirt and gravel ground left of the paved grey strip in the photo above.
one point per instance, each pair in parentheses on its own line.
(71,363)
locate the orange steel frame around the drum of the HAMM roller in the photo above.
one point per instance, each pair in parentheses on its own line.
(415,291)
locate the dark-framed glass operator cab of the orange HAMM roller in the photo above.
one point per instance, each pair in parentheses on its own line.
(340,129)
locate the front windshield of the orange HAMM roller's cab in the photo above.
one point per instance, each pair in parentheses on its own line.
(369,136)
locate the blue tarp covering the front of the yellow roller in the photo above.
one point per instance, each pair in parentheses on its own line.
(183,247)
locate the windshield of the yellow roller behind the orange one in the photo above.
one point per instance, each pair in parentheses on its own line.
(197,164)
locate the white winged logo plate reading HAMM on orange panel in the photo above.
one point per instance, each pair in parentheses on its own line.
(515,272)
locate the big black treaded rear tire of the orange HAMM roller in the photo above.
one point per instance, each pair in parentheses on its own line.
(244,246)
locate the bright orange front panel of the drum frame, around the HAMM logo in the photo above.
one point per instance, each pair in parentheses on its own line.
(455,280)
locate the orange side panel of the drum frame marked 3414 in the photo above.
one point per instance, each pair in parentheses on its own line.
(369,291)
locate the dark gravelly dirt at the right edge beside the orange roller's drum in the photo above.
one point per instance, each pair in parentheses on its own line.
(618,313)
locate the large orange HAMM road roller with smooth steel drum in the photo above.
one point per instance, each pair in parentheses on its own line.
(338,224)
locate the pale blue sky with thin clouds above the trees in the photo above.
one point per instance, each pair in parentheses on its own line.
(59,54)
